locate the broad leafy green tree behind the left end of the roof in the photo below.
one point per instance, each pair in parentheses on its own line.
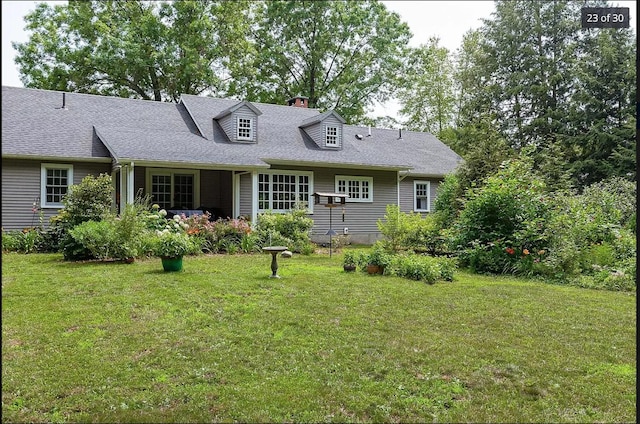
(139,49)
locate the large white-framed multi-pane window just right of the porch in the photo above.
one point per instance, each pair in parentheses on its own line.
(280,192)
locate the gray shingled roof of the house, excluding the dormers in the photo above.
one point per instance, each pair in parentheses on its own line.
(92,127)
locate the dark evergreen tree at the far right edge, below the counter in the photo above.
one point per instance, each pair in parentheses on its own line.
(603,122)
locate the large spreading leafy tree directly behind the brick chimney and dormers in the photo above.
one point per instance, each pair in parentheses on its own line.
(342,55)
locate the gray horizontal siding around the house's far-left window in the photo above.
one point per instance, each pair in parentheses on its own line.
(21,186)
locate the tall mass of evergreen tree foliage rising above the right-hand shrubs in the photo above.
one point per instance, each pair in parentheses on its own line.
(531,74)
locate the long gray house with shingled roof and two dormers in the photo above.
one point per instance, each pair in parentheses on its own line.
(232,158)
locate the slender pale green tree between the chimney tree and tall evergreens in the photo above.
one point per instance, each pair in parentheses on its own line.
(427,95)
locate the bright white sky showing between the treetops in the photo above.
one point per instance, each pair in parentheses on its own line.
(448,20)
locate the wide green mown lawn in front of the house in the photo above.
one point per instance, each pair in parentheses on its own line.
(222,342)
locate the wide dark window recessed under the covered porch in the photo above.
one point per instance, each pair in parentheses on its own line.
(173,188)
